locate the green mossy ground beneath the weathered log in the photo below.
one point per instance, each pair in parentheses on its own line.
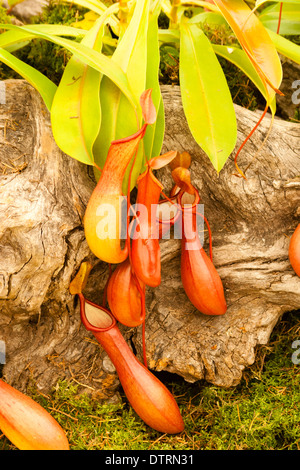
(261,413)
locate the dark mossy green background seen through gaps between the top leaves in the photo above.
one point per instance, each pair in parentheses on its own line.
(51,59)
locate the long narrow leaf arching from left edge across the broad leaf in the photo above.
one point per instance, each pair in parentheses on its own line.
(89,56)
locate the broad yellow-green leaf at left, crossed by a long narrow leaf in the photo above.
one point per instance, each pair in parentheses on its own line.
(76,112)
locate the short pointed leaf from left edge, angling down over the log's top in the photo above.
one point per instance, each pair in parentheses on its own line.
(42,84)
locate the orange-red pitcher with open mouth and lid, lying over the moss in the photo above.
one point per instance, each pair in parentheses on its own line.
(150,399)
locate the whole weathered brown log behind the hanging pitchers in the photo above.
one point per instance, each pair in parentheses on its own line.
(43,197)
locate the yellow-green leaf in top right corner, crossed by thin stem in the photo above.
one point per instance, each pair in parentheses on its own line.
(290,19)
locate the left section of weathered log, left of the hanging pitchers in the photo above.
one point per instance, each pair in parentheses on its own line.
(43,195)
